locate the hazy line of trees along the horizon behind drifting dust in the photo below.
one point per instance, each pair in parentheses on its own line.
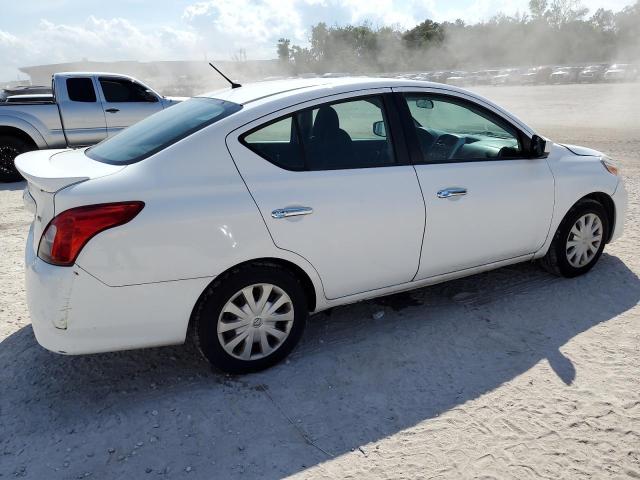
(551,33)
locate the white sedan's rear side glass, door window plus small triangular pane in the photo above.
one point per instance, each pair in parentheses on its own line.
(340,135)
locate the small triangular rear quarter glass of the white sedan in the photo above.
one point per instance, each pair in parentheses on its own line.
(278,143)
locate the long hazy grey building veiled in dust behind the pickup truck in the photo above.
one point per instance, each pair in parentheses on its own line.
(184,78)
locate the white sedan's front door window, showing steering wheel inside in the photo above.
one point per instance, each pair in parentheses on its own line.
(449,130)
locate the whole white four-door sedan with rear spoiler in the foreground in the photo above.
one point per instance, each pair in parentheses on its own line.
(235,215)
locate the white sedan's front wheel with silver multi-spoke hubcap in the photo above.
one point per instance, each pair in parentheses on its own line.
(579,241)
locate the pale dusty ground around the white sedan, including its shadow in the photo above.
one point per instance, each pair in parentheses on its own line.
(509,374)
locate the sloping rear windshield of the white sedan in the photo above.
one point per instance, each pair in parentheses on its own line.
(160,130)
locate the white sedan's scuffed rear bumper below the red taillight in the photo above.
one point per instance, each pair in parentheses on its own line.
(74,313)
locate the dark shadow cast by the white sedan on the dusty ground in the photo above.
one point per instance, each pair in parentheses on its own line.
(358,377)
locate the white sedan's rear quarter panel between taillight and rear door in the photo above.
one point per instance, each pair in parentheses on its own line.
(199,218)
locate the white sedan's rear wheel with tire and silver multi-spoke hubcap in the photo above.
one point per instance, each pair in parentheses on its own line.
(250,319)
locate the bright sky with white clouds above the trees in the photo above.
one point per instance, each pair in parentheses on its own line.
(34,32)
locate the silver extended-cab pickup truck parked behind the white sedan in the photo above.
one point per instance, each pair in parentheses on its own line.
(84,109)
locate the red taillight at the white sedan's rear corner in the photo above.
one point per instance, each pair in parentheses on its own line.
(69,232)
